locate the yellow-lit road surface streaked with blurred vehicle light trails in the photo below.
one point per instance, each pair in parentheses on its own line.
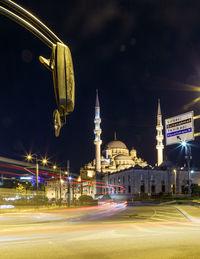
(107,231)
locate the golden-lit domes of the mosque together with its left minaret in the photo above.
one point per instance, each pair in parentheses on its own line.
(114,157)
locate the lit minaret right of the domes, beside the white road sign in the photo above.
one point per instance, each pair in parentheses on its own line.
(159,136)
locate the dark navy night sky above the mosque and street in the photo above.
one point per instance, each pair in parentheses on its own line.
(133,51)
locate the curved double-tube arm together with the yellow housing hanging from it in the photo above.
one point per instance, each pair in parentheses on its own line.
(60,62)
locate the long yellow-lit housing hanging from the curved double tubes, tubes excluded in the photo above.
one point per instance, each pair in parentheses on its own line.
(60,63)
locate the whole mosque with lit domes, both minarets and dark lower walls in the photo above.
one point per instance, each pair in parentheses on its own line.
(116,166)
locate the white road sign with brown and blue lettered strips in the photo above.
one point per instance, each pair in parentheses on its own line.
(179,128)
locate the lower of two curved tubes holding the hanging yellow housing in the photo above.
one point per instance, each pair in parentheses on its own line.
(26,25)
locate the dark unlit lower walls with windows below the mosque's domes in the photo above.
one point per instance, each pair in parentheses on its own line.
(147,182)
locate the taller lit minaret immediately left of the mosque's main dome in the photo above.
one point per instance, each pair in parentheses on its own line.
(97,134)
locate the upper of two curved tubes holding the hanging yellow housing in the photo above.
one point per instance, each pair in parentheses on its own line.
(31,18)
